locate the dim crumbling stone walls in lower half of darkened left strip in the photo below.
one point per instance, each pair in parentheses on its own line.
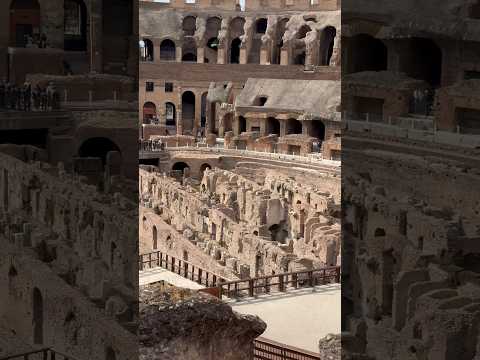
(76,234)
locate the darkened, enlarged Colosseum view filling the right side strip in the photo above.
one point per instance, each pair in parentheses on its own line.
(410,176)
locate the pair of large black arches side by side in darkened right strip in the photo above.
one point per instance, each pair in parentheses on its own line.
(419,58)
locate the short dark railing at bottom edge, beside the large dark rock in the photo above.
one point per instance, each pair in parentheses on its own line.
(264,349)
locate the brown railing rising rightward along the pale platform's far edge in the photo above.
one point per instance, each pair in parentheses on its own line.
(279,283)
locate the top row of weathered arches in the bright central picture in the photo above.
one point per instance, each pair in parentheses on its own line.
(236,31)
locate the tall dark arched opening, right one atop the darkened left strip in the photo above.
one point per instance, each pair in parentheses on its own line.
(75,25)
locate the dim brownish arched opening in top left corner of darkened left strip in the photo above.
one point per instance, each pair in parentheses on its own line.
(24,21)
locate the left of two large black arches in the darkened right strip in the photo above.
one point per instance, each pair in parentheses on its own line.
(366,54)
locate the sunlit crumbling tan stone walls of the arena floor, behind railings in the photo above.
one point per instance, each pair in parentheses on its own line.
(252,226)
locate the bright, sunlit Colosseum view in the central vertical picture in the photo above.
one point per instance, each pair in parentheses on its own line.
(239,179)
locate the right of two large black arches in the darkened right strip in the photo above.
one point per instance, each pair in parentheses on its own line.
(424,61)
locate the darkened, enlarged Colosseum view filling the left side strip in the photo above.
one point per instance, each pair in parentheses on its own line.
(68,179)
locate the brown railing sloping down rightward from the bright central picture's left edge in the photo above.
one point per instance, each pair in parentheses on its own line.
(181,267)
